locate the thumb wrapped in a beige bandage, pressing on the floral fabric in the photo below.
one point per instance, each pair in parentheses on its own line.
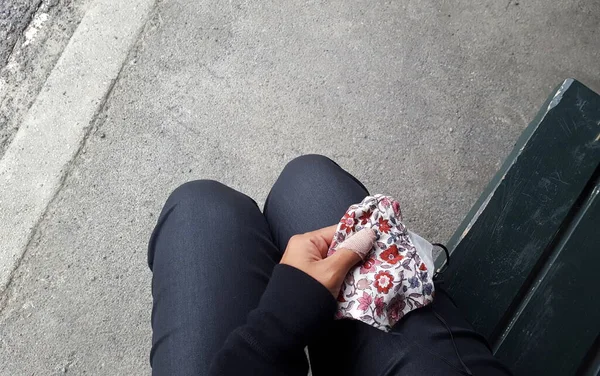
(352,250)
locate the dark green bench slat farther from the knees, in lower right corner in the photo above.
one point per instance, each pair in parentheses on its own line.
(559,320)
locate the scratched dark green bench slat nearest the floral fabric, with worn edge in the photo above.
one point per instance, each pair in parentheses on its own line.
(504,239)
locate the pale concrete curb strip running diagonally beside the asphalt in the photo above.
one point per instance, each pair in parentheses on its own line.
(53,131)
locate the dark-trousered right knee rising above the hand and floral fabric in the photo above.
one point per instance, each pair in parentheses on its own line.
(311,192)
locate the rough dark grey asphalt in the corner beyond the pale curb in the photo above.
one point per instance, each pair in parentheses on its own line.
(33,34)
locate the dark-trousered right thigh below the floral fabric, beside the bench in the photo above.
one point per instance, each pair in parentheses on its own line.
(434,340)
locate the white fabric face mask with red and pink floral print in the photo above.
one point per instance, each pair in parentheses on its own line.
(395,277)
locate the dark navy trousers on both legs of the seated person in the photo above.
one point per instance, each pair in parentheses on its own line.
(213,251)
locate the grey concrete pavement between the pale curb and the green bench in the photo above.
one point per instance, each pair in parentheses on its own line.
(421,100)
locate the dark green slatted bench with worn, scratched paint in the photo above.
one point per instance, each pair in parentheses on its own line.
(524,264)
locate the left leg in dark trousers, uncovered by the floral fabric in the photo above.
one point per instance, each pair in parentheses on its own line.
(211,255)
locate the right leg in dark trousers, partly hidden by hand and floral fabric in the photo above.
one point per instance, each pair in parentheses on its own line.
(314,192)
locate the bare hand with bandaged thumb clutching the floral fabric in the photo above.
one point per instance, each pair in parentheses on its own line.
(308,253)
